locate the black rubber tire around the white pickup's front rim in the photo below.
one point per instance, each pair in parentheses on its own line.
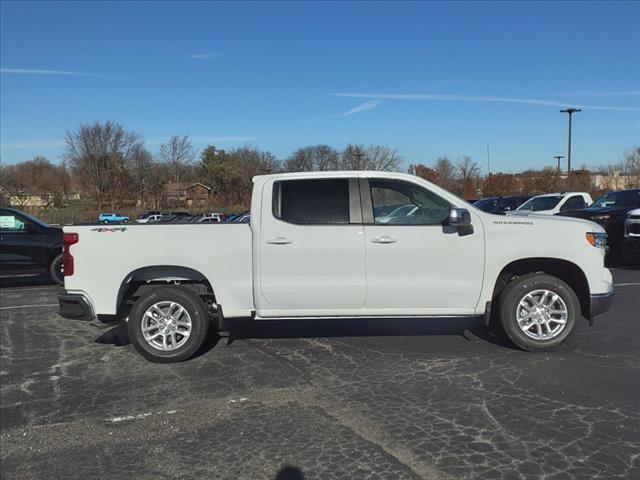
(516,291)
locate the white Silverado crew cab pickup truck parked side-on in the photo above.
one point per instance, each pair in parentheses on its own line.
(323,245)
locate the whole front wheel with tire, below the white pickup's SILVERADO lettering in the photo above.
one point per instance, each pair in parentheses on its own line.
(538,311)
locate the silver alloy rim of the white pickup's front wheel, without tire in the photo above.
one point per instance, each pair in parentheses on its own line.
(542,314)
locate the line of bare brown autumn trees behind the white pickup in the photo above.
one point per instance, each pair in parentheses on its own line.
(113,167)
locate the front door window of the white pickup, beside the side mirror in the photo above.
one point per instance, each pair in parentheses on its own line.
(418,206)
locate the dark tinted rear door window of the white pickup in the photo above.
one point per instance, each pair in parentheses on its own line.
(312,202)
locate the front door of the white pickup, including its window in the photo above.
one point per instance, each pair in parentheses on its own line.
(415,263)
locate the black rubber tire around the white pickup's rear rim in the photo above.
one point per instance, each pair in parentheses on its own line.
(196,310)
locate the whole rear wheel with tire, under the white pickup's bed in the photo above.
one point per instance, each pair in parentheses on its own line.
(168,324)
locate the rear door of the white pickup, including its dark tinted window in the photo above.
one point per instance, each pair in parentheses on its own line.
(311,248)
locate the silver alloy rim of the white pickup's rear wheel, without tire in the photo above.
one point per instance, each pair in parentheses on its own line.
(166,325)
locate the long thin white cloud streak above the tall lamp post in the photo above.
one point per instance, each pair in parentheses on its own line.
(477,98)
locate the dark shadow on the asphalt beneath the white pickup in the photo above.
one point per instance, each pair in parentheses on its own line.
(470,329)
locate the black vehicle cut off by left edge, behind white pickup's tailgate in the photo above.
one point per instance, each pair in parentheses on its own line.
(29,246)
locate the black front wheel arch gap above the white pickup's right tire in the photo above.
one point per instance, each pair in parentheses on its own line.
(565,270)
